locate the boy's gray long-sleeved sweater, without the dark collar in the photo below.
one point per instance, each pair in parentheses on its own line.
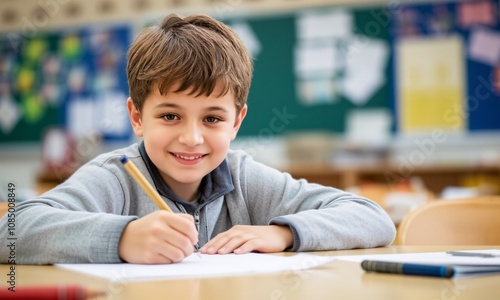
(82,219)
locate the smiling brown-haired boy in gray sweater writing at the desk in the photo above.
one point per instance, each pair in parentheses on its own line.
(189,80)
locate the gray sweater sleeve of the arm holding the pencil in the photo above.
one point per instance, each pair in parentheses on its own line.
(79,221)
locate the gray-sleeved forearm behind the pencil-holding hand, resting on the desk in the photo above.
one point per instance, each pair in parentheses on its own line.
(45,235)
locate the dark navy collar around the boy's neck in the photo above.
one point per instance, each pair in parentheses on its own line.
(215,184)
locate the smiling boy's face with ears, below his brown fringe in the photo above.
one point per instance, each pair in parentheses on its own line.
(185,136)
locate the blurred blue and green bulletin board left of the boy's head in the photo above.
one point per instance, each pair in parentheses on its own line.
(73,79)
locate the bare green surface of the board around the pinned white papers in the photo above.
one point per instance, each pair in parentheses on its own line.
(274,104)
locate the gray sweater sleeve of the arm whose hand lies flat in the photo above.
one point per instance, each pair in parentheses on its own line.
(320,217)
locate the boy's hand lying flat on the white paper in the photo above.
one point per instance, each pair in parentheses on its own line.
(245,238)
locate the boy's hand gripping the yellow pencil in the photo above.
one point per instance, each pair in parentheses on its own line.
(158,238)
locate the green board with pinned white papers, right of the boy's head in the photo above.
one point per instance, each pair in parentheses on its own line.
(307,78)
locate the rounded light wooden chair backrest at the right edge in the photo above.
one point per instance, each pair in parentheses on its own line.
(471,221)
